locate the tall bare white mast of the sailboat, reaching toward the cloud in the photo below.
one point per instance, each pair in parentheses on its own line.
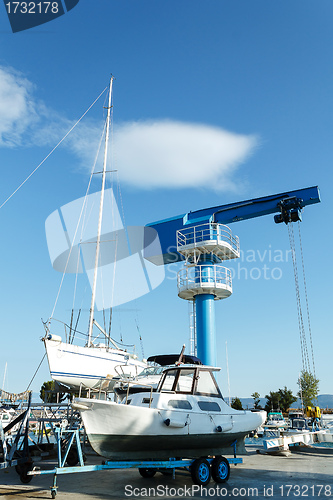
(98,241)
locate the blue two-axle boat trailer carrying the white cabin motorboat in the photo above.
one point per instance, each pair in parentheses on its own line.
(201,469)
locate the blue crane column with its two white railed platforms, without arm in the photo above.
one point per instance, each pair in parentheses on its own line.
(204,279)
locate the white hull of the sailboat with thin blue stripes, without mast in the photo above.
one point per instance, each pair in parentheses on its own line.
(76,366)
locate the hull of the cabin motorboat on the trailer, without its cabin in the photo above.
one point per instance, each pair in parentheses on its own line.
(122,431)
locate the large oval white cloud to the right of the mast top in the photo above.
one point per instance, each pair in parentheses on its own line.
(173,154)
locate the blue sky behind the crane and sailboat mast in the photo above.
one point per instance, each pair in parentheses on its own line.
(256,76)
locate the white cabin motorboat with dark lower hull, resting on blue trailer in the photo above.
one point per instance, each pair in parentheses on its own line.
(185,417)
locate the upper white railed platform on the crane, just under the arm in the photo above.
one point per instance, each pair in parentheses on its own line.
(202,234)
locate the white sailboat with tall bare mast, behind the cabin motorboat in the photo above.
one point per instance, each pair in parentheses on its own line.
(88,366)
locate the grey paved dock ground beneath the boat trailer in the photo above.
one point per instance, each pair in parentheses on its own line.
(304,473)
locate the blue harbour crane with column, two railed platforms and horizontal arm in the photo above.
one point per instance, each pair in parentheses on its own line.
(204,242)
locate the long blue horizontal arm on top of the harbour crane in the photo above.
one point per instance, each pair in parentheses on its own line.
(226,214)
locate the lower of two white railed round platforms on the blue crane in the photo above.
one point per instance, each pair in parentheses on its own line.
(204,276)
